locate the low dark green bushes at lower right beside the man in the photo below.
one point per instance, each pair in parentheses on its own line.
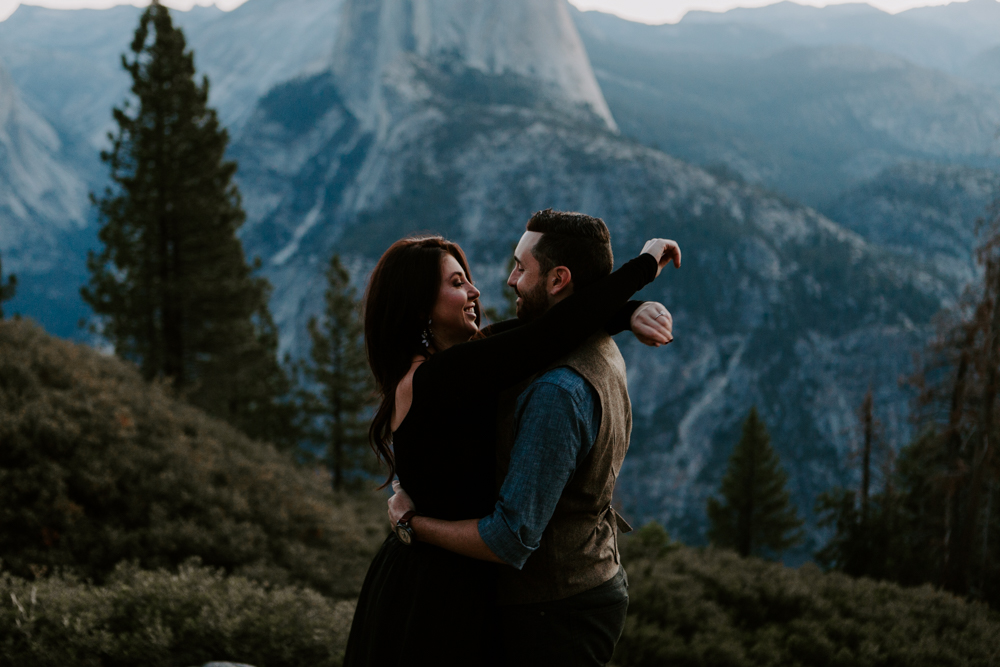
(703,607)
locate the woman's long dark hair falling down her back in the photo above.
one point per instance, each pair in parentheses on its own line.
(398,302)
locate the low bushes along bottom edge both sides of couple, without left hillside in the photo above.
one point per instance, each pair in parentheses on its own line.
(688,607)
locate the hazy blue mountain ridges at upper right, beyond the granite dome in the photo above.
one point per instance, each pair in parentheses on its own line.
(807,120)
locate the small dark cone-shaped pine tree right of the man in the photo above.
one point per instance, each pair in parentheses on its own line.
(755,516)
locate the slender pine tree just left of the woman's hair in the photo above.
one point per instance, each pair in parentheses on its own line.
(339,371)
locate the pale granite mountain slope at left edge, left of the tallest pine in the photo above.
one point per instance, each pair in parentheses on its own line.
(43,220)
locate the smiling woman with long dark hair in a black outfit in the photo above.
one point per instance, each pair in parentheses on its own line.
(440,379)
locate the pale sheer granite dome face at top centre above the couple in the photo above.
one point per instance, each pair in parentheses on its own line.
(382,42)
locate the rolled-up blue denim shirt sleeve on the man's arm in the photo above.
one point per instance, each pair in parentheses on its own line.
(556,422)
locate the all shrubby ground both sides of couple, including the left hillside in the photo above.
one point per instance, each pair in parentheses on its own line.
(106,477)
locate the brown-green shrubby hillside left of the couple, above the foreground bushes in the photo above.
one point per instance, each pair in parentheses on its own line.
(99,467)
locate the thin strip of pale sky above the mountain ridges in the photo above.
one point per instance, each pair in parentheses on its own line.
(647,11)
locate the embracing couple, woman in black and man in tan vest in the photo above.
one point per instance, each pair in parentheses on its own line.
(506,442)
